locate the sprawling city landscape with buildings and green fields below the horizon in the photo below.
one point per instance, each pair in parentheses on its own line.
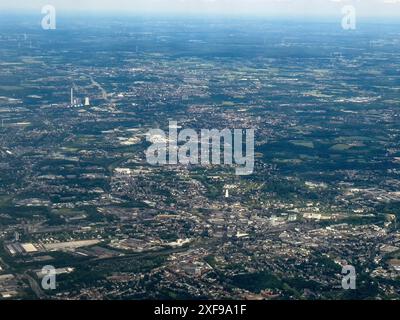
(306,208)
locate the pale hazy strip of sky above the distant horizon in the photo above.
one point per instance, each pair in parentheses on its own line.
(260,7)
